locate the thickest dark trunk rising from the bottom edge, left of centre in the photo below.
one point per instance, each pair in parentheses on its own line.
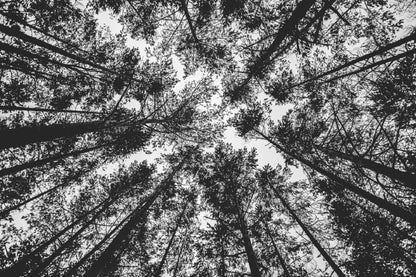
(108,257)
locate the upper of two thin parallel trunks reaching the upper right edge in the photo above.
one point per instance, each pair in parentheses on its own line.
(360,59)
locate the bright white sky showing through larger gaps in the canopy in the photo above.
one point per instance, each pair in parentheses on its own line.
(266,153)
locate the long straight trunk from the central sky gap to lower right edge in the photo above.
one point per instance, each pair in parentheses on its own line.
(382,203)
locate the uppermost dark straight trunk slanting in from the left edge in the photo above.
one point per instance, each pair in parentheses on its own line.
(9,31)
